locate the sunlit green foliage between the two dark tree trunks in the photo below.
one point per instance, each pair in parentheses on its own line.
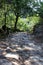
(10,20)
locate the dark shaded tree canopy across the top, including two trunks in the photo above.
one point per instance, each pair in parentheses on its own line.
(20,8)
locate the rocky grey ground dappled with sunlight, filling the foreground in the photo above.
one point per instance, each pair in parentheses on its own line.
(21,49)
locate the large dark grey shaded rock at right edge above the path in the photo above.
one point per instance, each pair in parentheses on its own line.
(38,30)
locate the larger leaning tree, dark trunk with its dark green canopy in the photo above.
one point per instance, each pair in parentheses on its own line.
(22,8)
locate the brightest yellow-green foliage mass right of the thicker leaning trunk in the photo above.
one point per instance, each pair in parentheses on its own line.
(27,24)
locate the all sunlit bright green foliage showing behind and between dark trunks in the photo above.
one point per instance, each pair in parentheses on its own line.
(25,24)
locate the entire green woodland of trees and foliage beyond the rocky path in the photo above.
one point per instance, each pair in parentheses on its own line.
(20,15)
